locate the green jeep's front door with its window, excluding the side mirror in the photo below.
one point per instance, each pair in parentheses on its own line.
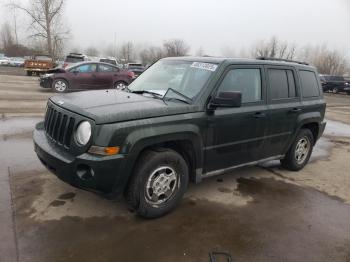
(236,135)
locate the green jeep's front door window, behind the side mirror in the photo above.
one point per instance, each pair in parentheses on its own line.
(245,80)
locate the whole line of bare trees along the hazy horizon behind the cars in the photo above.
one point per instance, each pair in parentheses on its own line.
(47,33)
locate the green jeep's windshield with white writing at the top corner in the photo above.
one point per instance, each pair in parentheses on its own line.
(185,77)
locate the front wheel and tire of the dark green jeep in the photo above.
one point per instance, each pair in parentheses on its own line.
(155,171)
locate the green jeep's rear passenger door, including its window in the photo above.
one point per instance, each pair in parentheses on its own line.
(284,107)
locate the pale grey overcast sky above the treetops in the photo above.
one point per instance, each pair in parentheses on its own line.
(209,24)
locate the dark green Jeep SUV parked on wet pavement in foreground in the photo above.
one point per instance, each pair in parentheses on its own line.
(183,119)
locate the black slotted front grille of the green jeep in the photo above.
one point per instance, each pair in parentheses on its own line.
(59,126)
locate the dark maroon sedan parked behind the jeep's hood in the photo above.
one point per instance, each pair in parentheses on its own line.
(87,75)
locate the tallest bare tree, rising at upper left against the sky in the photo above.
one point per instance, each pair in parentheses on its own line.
(46,22)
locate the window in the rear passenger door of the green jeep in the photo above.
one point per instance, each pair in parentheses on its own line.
(282,84)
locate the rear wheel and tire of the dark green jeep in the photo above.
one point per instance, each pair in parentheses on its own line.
(296,160)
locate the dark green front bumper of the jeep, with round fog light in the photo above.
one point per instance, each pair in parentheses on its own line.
(94,173)
